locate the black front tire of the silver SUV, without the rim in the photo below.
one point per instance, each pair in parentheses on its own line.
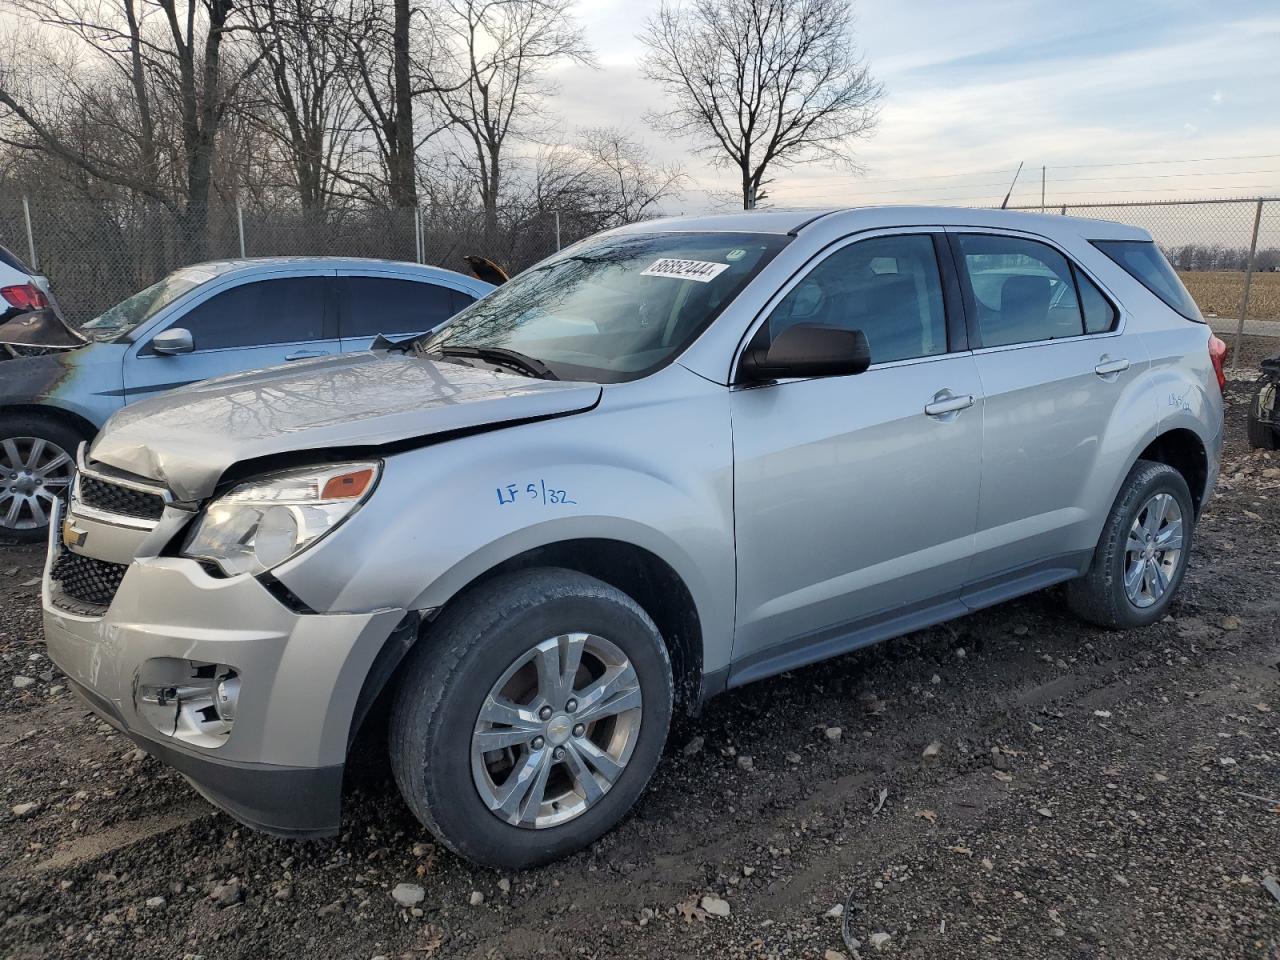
(449,676)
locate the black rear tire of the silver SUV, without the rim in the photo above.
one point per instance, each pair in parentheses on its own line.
(1100,596)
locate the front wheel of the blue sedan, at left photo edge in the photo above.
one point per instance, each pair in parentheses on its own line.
(38,459)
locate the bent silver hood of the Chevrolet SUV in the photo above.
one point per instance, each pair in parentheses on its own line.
(191,437)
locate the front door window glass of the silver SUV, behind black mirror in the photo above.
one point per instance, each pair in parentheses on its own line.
(888,287)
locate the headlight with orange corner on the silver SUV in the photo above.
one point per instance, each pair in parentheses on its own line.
(266,522)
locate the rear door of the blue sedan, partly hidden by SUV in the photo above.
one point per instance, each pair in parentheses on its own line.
(392,307)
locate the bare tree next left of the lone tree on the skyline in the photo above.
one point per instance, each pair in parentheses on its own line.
(490,76)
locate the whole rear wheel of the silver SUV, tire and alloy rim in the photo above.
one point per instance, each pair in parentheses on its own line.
(1141,559)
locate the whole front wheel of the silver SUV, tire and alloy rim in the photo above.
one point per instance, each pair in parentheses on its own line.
(532,716)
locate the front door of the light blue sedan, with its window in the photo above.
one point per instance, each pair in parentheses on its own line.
(257,324)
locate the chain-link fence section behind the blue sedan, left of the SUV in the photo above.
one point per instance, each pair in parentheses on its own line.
(99,254)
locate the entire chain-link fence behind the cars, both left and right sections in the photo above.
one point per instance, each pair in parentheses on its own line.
(98,254)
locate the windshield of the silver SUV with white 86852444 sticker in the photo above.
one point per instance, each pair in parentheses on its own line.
(614,309)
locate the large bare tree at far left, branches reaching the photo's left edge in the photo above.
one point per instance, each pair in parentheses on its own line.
(173,57)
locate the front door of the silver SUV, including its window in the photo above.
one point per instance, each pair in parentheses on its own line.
(857,497)
